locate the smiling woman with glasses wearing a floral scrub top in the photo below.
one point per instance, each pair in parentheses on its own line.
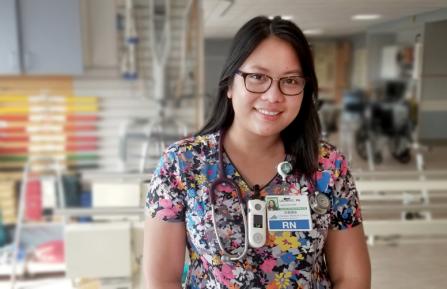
(265,114)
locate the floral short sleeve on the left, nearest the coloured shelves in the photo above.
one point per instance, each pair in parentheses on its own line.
(165,199)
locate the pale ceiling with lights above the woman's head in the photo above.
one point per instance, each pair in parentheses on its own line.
(331,16)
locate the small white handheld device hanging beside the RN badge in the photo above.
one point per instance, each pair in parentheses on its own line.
(257,223)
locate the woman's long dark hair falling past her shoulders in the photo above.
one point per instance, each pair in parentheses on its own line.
(301,138)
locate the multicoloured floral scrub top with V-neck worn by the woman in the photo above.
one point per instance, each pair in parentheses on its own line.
(179,192)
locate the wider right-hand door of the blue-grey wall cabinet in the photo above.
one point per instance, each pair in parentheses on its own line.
(51,36)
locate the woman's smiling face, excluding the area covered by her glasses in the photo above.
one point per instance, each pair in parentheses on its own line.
(268,113)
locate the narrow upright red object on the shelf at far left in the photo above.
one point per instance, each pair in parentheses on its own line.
(33,201)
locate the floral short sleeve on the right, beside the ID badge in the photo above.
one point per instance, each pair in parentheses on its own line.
(346,212)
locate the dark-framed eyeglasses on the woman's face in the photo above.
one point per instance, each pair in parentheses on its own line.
(260,83)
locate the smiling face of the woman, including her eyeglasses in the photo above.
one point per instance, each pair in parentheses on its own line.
(266,105)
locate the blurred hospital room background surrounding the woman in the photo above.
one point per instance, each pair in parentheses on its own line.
(93,91)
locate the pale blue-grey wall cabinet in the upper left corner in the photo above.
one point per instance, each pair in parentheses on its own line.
(40,37)
